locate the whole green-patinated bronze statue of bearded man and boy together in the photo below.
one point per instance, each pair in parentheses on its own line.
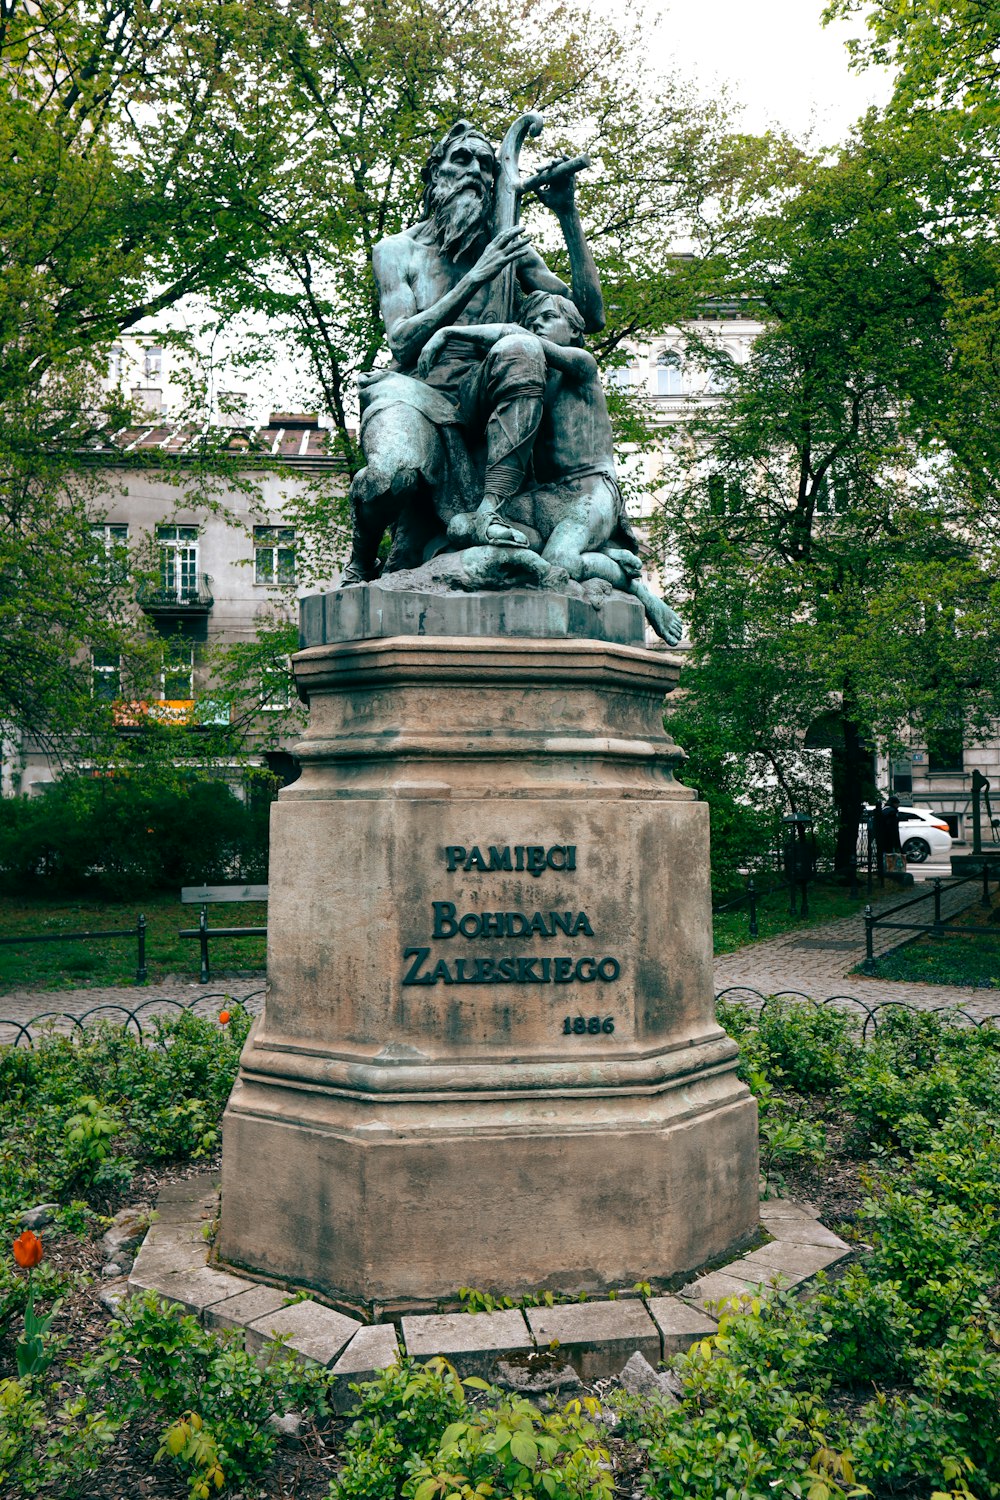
(490,433)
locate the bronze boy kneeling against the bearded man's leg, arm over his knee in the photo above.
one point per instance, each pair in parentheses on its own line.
(573,515)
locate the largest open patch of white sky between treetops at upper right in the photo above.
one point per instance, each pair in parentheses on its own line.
(776,56)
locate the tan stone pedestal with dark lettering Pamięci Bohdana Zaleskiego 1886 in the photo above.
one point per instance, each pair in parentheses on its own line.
(488,1055)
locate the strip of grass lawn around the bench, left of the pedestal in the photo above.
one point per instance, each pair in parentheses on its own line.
(104,962)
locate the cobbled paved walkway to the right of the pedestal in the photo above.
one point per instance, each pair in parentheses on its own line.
(818,961)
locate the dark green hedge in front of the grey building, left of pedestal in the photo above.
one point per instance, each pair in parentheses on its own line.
(128,836)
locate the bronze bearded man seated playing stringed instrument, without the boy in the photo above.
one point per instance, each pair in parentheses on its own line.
(451,430)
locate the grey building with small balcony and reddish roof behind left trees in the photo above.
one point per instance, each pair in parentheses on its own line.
(214,565)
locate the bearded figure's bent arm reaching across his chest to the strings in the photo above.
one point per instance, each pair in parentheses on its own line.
(409,326)
